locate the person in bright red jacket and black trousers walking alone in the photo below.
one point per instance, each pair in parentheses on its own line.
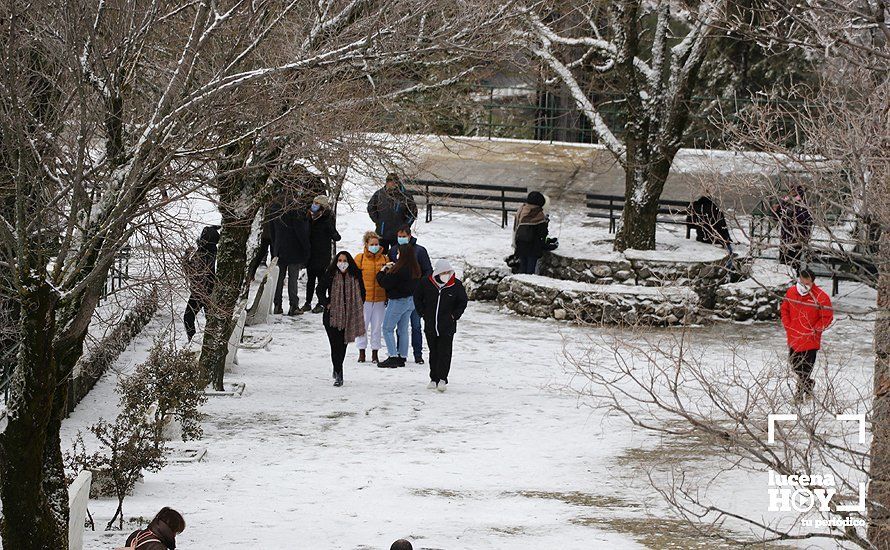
(806,313)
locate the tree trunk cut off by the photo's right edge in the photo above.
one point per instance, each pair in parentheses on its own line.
(879,487)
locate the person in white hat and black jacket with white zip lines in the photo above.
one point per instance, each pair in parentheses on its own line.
(441,300)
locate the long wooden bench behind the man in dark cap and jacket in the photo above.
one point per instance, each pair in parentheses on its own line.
(474,196)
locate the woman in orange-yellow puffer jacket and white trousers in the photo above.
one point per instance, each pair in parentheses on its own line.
(371,261)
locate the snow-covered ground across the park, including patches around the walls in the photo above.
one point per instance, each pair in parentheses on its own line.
(508,458)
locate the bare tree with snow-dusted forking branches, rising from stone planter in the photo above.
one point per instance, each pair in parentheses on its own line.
(655,70)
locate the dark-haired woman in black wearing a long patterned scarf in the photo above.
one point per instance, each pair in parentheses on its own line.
(341,293)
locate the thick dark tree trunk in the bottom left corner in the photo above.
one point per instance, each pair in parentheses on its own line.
(29,521)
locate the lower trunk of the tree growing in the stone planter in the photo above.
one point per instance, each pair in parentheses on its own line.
(644,179)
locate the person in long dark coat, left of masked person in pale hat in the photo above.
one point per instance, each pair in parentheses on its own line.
(290,244)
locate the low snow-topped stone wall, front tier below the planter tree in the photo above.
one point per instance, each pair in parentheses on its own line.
(600,304)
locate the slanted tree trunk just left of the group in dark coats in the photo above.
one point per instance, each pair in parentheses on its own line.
(231,259)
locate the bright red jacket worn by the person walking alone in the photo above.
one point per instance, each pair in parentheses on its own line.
(805,317)
